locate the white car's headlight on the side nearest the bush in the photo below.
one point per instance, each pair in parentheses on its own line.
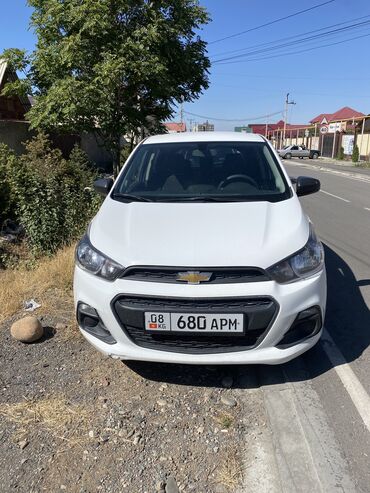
(95,262)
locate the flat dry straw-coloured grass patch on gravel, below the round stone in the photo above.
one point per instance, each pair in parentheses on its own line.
(53,414)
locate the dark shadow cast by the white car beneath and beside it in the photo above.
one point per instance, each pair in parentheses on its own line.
(347,321)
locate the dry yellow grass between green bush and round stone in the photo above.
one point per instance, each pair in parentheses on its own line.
(49,283)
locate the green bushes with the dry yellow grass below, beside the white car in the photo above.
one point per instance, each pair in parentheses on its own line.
(46,203)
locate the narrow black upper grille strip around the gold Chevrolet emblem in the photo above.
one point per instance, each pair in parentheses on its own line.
(220,275)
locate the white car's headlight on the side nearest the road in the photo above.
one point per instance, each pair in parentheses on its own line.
(302,264)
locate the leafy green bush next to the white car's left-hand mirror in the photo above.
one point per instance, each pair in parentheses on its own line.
(52,202)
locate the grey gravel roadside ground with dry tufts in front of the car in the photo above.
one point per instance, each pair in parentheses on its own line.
(73,420)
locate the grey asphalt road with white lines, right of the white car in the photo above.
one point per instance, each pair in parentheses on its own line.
(317,437)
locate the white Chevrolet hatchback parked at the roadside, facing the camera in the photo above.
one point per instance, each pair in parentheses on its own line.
(201,253)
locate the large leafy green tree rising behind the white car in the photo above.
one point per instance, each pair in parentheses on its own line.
(112,66)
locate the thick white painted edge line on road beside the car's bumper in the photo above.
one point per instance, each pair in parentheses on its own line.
(351,383)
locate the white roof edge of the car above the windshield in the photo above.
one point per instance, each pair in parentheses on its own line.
(204,137)
